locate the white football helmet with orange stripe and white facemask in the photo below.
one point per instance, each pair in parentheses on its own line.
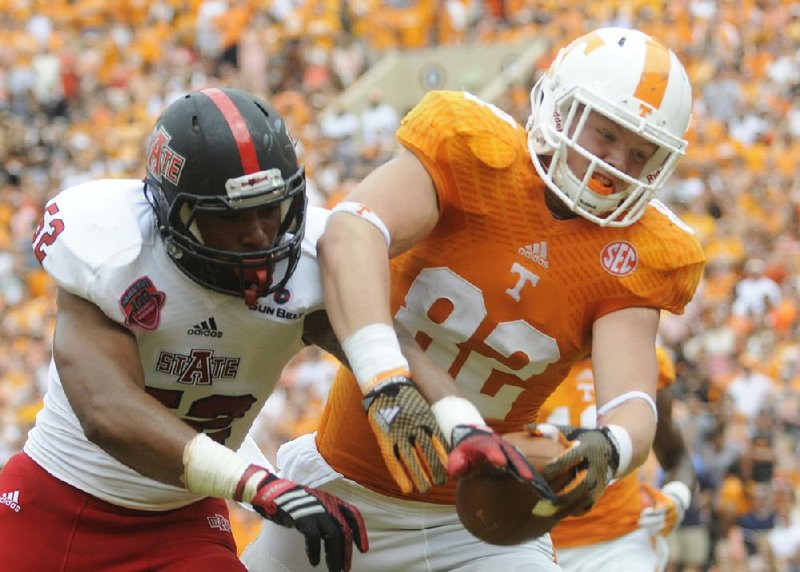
(633,80)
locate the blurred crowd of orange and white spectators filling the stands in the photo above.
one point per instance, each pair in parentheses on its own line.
(81,82)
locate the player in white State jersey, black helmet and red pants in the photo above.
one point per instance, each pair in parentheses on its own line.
(180,300)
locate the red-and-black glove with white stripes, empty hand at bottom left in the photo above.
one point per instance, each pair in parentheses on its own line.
(319,516)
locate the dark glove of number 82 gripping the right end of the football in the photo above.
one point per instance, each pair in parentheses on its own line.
(593,458)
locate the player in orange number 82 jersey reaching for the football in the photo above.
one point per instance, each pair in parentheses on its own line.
(510,253)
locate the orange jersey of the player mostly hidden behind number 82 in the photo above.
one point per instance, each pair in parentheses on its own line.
(617,511)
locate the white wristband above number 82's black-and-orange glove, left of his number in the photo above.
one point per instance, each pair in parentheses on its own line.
(372,351)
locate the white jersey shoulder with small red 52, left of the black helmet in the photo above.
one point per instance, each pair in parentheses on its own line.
(89,228)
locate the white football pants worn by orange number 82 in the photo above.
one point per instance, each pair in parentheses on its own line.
(404,536)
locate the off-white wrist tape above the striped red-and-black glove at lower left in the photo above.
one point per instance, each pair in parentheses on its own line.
(213,470)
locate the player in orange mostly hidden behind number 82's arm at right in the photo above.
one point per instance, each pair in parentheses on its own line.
(625,526)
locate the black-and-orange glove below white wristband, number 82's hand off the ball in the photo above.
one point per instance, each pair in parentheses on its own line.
(411,442)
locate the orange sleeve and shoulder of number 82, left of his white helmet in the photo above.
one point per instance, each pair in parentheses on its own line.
(460,139)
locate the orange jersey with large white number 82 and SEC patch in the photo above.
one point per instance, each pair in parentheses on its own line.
(501,294)
